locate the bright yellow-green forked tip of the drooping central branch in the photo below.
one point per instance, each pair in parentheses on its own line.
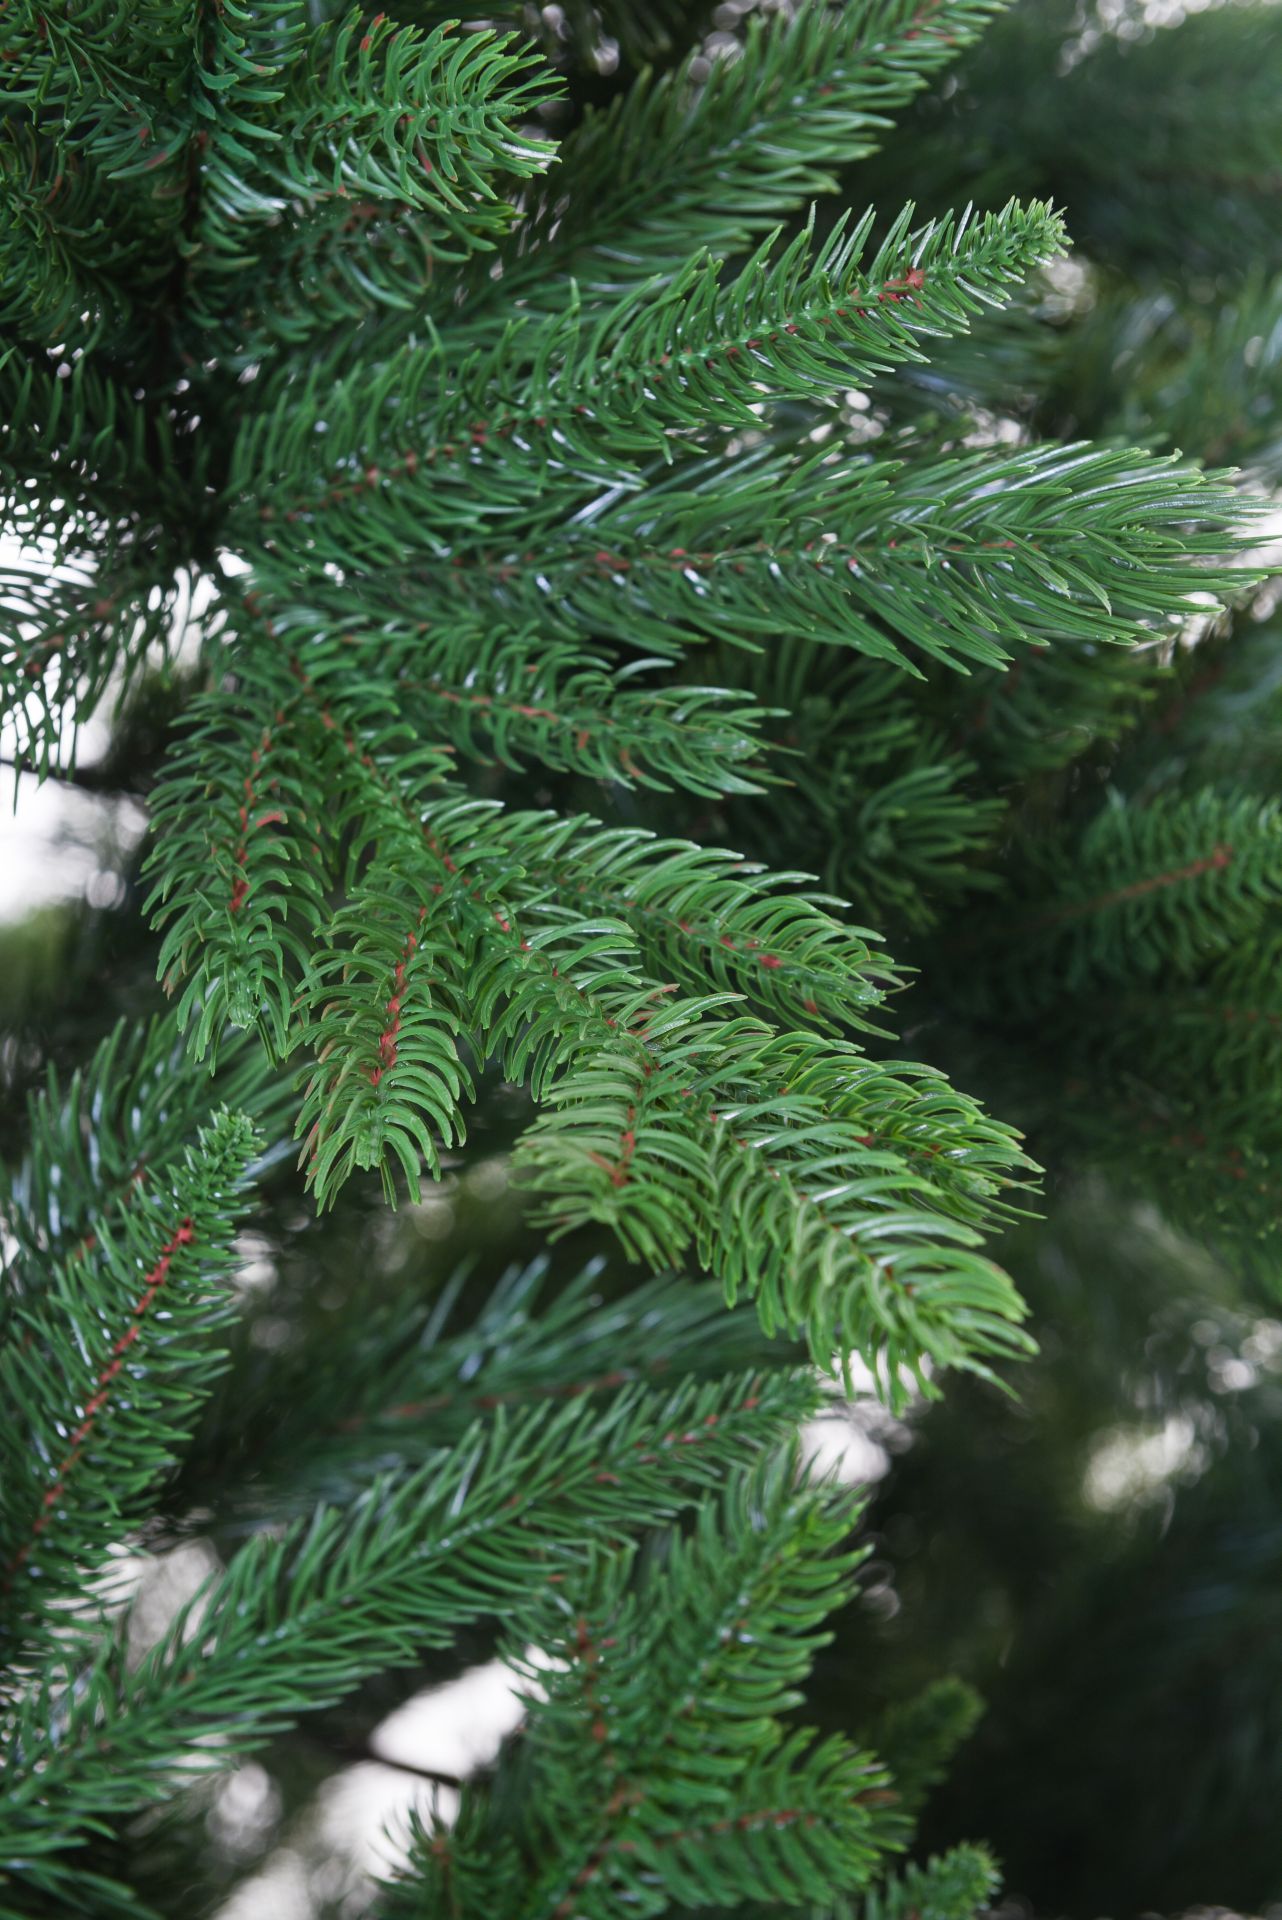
(795,1197)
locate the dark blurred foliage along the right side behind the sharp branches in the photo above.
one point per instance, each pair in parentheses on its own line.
(1114,1537)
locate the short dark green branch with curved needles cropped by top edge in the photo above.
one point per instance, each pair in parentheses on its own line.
(343,162)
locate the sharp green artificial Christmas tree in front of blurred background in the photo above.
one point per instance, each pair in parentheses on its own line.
(546,494)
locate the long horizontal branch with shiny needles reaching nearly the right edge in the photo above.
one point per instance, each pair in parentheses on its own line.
(959,562)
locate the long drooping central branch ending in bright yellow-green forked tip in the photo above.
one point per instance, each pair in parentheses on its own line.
(636,1138)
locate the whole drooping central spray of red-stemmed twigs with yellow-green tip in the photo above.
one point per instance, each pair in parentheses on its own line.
(552,946)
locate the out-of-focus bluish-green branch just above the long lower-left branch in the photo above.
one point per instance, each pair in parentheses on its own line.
(410,1383)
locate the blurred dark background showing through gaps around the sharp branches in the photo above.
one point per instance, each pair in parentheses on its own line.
(1101,1552)
